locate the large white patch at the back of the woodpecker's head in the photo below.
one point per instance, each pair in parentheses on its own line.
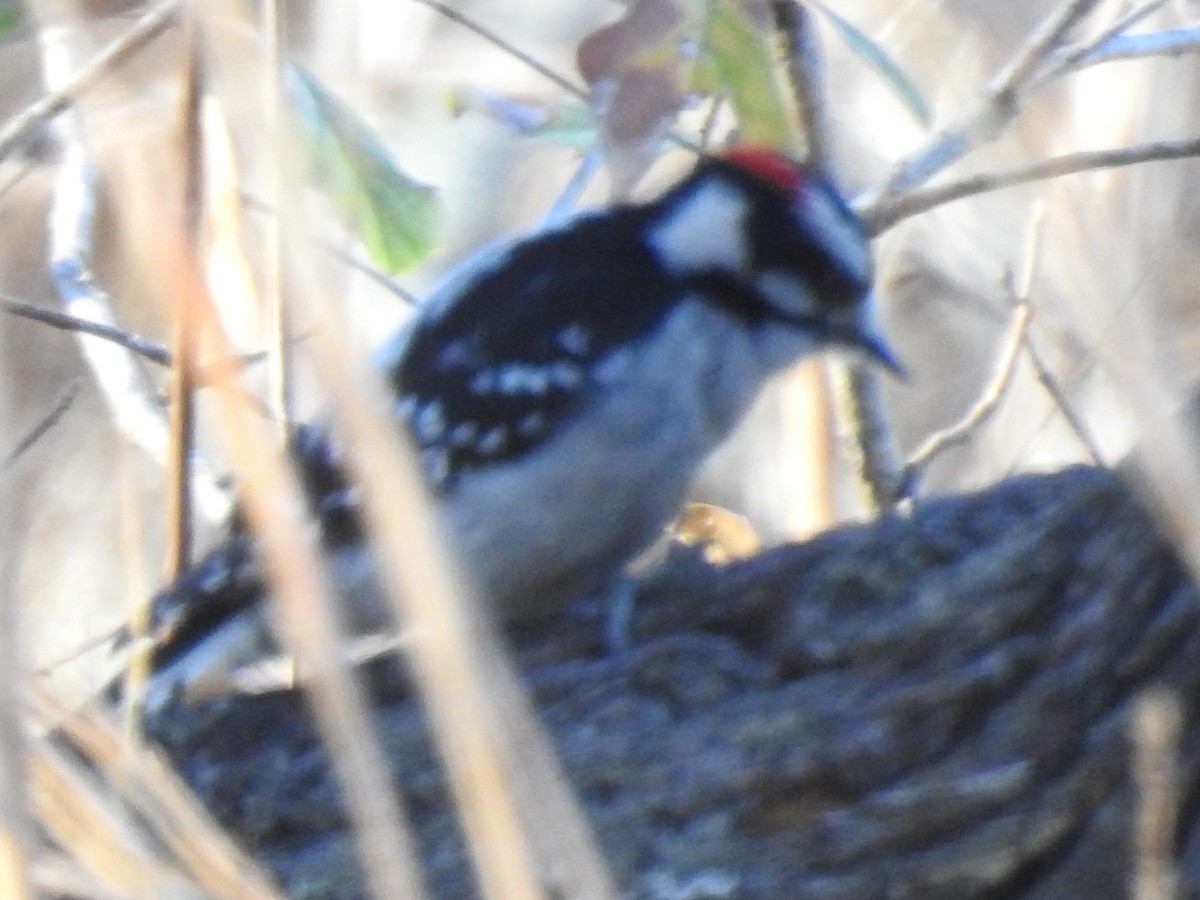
(705,231)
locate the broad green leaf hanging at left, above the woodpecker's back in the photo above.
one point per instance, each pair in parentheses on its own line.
(397,219)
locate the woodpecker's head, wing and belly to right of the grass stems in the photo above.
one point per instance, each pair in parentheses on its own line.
(562,389)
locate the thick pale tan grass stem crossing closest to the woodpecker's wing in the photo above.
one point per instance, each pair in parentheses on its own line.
(429,598)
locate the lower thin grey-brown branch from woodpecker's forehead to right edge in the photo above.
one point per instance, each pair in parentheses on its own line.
(884,215)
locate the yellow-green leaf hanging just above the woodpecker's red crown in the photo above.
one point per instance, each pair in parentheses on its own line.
(747,69)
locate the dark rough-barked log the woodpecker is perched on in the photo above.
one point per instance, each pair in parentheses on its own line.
(933,706)
